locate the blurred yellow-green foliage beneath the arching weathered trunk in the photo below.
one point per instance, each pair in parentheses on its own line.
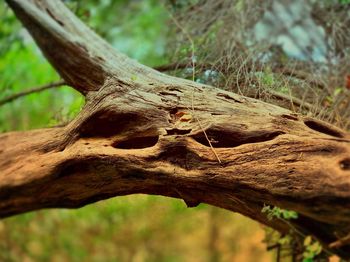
(131,228)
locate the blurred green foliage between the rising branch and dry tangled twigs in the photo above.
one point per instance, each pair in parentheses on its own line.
(142,23)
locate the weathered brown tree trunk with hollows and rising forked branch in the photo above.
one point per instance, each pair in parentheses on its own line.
(145,132)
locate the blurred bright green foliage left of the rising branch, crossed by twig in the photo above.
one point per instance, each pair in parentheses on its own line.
(21,67)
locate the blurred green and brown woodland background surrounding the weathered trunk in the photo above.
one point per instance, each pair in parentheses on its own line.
(291,53)
